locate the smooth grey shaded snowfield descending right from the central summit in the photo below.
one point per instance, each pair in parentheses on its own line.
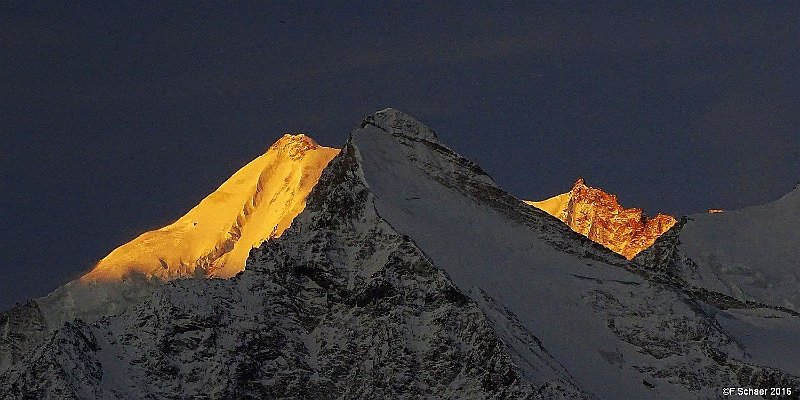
(418,189)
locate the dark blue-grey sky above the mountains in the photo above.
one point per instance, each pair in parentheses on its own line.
(117,119)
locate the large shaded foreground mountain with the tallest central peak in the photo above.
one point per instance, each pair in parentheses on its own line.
(409,274)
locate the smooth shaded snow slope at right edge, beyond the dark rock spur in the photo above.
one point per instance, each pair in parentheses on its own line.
(751,254)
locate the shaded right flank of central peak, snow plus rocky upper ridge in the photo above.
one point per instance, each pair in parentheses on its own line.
(616,333)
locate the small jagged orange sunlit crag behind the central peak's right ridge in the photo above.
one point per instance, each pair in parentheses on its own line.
(598,216)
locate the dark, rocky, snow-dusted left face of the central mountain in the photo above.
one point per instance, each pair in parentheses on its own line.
(340,307)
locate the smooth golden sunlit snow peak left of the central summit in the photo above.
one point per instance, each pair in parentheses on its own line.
(215,237)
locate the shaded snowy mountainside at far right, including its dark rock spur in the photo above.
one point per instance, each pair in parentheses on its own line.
(747,262)
